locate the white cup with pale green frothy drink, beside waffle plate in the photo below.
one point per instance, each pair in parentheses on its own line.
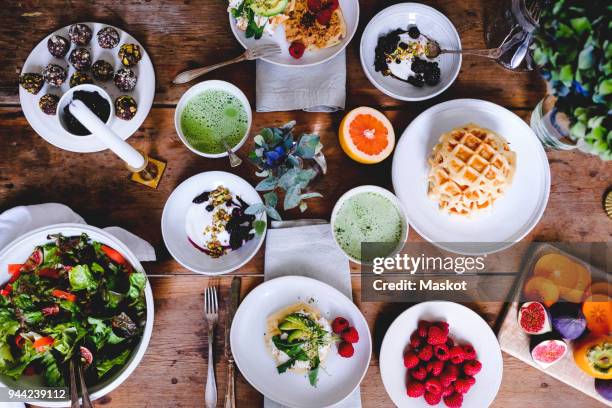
(369,214)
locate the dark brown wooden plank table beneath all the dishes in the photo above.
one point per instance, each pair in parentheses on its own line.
(190,33)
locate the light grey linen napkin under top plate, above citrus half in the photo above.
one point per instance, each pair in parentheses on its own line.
(319,88)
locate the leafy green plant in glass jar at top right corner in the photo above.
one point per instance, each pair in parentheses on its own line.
(573,50)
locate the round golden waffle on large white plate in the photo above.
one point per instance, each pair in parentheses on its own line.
(471,167)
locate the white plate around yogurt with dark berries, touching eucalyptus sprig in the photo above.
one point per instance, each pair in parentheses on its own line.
(173,223)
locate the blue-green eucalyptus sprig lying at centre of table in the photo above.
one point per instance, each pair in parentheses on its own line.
(280,161)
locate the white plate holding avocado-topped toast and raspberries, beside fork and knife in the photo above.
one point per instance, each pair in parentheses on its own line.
(340,376)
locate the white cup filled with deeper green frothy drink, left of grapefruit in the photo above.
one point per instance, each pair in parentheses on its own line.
(212,115)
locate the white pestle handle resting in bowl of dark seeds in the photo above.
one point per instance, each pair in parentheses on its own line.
(106,135)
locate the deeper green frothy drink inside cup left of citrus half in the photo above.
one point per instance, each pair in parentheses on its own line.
(212,116)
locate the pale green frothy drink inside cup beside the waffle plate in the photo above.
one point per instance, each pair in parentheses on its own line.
(368,217)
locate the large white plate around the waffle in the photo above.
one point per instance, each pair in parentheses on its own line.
(511,217)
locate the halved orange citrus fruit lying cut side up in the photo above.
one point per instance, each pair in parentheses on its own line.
(366,135)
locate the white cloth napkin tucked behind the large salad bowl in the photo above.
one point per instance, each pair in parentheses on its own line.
(19,220)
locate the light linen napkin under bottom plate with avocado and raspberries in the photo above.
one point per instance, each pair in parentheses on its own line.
(289,251)
